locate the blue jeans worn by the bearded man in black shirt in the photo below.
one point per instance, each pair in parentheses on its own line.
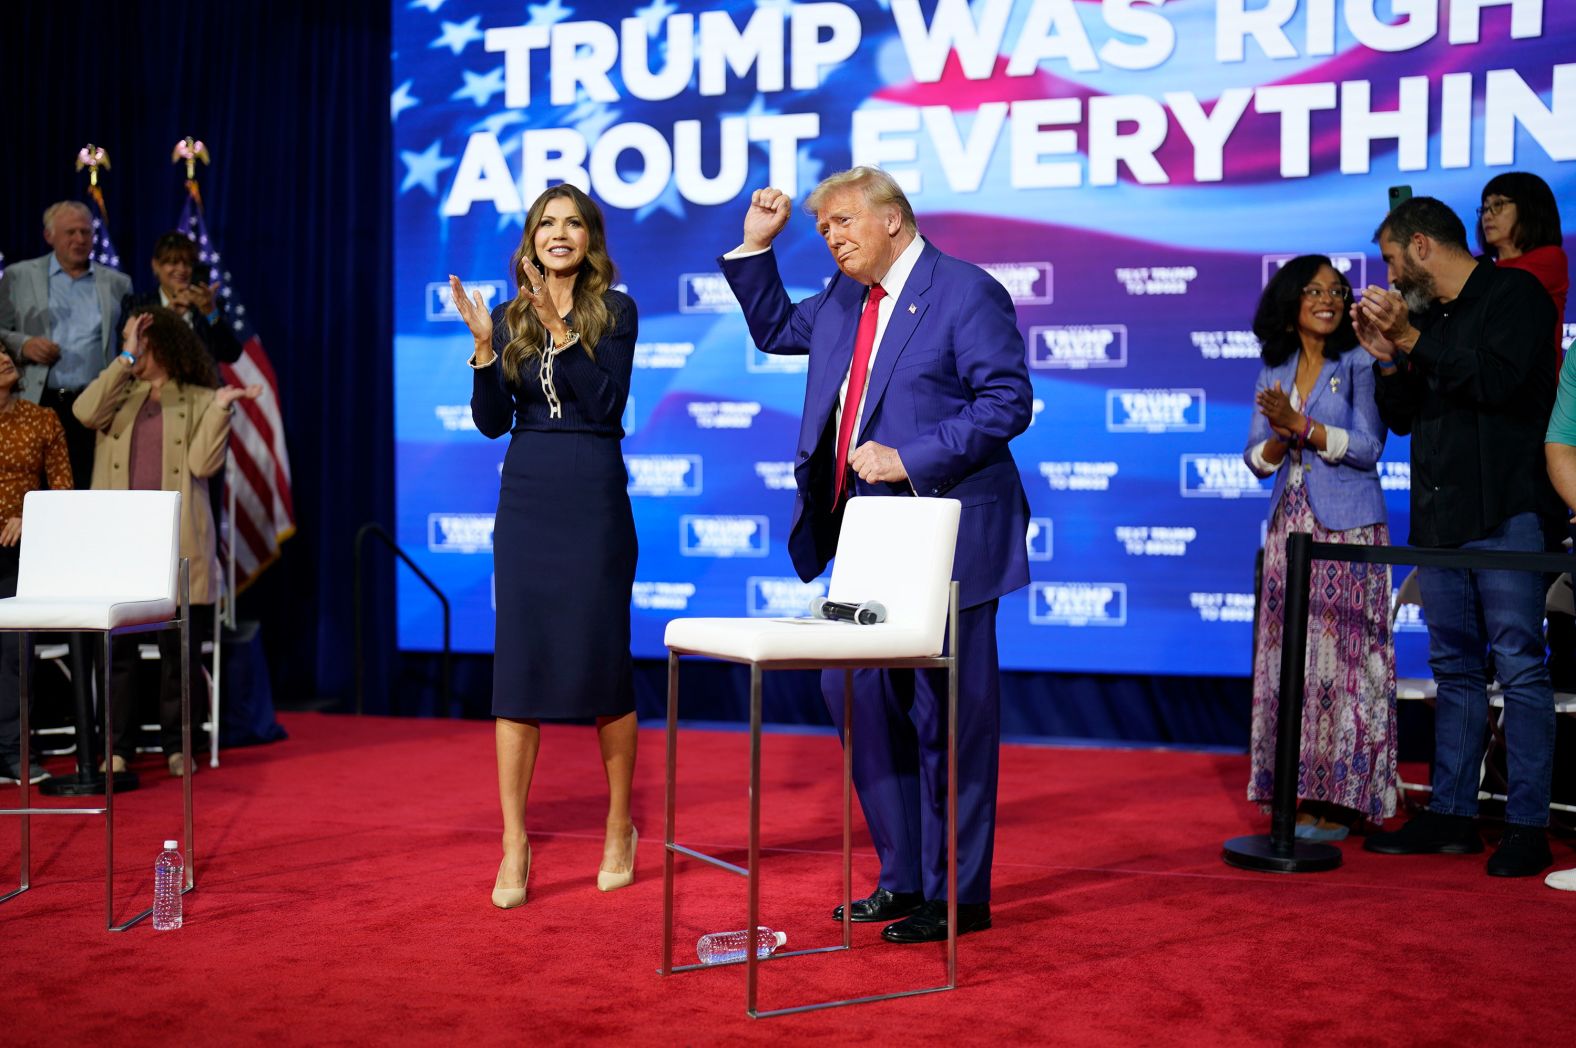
(1468,611)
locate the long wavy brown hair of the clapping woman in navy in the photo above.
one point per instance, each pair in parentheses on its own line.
(595,278)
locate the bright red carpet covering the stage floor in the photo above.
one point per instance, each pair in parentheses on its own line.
(344,880)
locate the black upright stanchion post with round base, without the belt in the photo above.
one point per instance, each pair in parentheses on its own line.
(1282,852)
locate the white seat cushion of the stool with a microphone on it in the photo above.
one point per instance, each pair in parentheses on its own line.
(795,641)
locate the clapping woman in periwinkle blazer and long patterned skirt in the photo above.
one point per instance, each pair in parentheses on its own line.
(1320,436)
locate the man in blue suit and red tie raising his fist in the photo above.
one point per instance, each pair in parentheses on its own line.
(916,385)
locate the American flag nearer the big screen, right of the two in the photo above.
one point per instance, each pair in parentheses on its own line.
(258,470)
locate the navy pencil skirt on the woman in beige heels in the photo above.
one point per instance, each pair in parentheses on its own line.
(563,567)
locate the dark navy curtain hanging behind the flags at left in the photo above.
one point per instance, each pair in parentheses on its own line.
(292,100)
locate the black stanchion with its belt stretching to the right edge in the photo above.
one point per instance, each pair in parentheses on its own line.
(1280,852)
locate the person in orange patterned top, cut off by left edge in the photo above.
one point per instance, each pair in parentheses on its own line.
(32,448)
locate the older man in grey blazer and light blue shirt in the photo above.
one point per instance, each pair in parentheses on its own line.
(59,322)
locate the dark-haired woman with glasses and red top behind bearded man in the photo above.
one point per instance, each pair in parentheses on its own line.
(1520,226)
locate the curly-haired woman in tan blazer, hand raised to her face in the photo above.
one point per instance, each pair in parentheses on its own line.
(163,426)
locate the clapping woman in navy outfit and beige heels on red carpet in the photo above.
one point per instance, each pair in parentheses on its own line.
(552,371)
